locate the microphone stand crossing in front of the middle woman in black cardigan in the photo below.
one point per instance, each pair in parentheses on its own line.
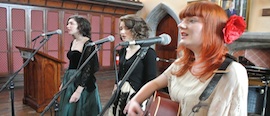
(140,55)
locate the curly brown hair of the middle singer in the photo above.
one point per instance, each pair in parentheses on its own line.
(137,26)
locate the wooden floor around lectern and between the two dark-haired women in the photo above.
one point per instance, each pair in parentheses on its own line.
(105,81)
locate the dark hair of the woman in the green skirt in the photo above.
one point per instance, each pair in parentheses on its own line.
(84,25)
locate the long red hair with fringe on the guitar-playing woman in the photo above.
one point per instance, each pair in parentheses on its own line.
(214,19)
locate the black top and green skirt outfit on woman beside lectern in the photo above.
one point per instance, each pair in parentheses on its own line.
(89,103)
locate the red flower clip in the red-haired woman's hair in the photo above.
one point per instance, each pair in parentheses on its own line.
(234,28)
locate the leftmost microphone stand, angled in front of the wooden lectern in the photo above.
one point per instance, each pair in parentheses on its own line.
(10,80)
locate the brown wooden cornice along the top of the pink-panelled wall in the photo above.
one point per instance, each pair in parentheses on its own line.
(88,5)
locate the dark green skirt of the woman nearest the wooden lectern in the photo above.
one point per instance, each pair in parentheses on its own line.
(88,105)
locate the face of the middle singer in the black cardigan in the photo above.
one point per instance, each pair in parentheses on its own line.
(125,33)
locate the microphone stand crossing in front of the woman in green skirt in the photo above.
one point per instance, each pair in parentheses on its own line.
(54,100)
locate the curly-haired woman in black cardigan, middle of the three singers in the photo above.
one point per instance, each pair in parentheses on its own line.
(132,28)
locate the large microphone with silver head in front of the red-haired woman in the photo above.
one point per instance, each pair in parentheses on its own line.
(163,39)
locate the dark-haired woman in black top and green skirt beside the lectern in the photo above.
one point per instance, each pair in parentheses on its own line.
(81,98)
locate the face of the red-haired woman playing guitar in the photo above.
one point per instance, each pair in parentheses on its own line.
(191,32)
